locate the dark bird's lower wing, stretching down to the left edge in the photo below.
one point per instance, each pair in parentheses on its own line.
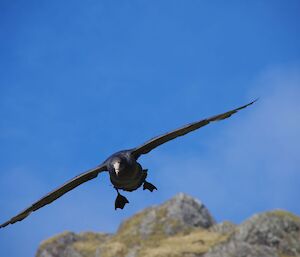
(58,192)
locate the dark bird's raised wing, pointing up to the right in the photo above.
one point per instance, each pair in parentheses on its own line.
(155,142)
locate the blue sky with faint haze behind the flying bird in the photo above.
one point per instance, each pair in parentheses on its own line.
(82,79)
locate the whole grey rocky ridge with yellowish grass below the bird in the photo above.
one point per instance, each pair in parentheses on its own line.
(184,227)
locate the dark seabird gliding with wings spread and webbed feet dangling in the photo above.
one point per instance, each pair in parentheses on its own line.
(124,170)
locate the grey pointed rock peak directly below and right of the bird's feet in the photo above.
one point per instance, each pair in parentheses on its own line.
(181,213)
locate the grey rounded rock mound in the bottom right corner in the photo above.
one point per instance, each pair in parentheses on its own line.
(269,234)
